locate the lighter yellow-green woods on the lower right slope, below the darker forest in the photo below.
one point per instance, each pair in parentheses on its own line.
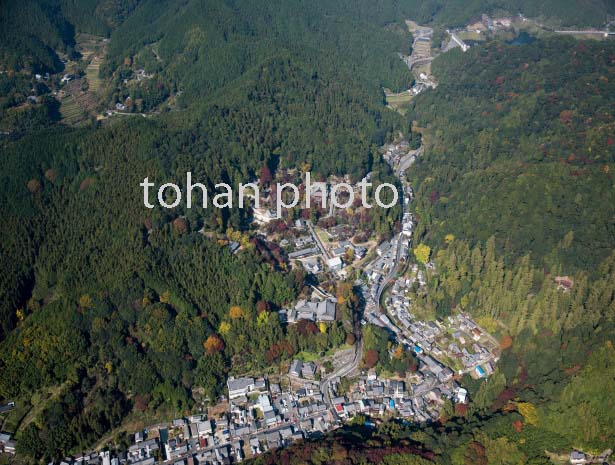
(552,389)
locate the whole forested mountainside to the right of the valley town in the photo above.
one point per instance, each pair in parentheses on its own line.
(514,192)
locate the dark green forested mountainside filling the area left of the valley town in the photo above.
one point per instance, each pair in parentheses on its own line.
(110,308)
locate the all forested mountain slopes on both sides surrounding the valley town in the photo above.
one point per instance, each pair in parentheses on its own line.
(111,311)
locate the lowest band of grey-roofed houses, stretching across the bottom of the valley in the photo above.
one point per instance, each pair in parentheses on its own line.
(261,416)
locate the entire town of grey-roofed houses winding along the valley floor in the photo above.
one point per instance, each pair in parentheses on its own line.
(263,416)
